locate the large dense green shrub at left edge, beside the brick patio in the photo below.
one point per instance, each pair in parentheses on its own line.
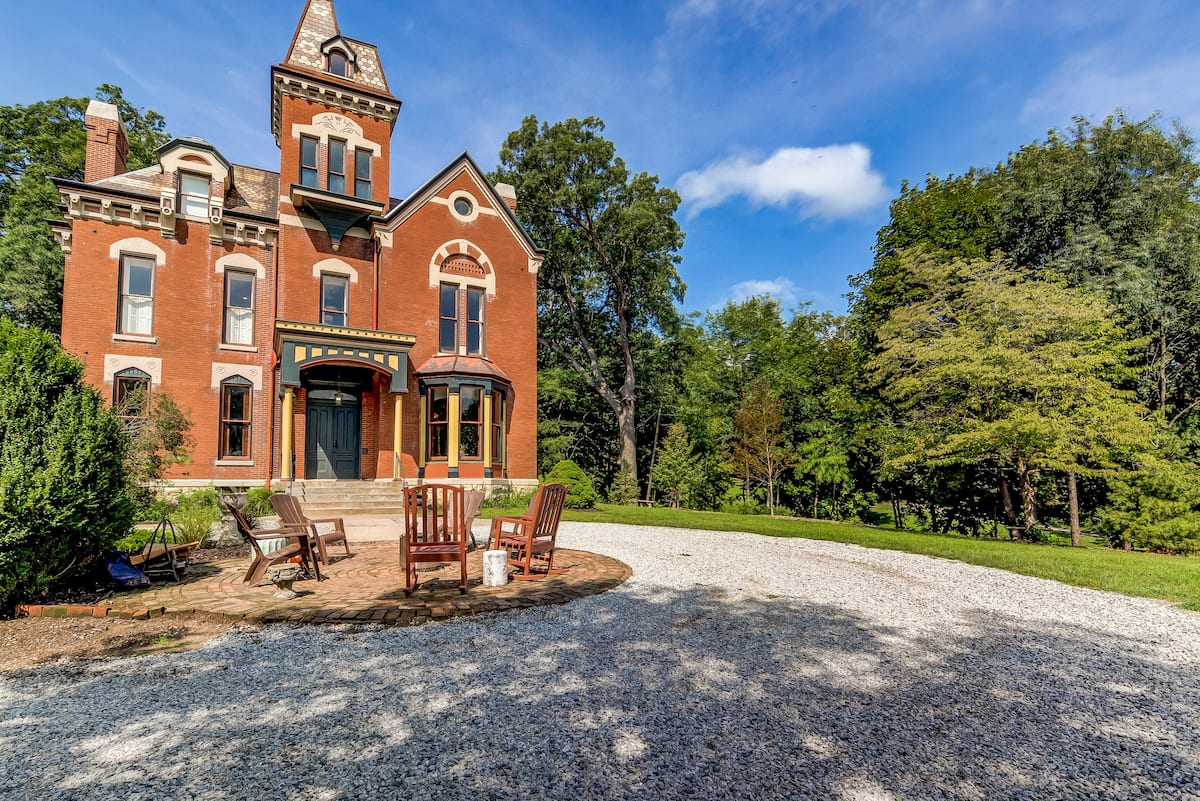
(65,496)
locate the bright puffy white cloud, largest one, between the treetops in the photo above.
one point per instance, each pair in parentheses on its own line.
(831,182)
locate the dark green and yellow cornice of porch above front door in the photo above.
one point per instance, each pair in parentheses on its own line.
(304,345)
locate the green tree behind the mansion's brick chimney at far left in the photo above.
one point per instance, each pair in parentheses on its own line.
(39,142)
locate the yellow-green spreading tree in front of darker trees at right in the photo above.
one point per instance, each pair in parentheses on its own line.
(993,368)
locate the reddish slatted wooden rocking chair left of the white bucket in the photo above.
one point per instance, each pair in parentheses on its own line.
(435,531)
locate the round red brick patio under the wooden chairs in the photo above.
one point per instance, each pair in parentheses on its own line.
(367,587)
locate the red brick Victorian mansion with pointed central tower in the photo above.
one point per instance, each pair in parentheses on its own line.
(310,324)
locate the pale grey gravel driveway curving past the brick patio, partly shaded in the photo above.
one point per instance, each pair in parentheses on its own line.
(730,666)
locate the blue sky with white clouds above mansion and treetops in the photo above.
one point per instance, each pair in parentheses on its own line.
(787,127)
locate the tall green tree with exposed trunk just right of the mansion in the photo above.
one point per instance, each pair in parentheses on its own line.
(609,282)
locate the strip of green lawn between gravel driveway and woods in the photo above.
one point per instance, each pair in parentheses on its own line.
(1153,576)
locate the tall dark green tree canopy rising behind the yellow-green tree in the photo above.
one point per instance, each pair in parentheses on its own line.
(1111,207)
